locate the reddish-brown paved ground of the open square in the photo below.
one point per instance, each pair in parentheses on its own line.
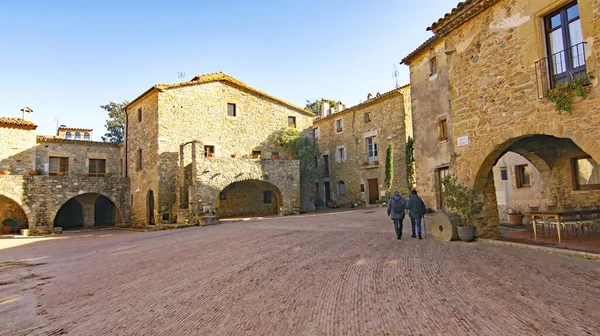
(328,274)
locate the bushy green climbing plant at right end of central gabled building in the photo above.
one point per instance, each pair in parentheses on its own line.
(302,148)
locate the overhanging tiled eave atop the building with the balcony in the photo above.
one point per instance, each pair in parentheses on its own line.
(463,11)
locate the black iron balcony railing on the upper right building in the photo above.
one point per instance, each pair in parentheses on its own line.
(560,68)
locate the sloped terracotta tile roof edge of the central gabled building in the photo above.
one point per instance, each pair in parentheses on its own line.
(221,77)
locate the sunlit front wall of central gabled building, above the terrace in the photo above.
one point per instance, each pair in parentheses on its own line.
(199,112)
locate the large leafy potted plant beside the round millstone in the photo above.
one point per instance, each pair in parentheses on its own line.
(462,200)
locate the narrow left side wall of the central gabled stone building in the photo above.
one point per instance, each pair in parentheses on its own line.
(143,135)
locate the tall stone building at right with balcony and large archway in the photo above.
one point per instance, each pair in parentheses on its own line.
(501,58)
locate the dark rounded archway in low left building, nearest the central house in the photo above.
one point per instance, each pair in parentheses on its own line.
(87,211)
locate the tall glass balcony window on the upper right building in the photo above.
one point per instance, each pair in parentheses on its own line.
(565,44)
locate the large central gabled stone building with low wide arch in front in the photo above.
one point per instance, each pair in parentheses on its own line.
(207,146)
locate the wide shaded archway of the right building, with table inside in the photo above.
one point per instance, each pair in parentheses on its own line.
(556,180)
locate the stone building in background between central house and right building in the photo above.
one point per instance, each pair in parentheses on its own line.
(353,144)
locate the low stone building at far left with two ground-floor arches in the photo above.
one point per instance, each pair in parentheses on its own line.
(51,183)
